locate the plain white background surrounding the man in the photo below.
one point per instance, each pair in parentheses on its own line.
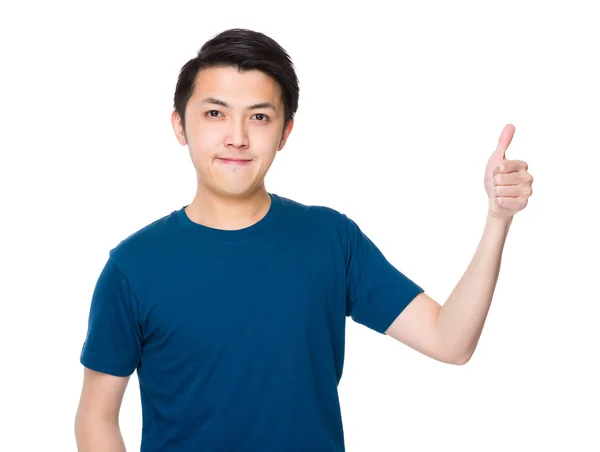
(400,108)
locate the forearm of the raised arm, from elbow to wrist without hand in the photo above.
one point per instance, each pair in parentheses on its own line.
(461,318)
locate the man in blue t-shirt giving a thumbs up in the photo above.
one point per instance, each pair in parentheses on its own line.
(232,309)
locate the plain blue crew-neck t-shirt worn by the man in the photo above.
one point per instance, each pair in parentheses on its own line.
(238,336)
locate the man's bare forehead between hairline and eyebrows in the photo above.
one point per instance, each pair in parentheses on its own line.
(229,83)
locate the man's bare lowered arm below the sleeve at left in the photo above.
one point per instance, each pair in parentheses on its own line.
(97,418)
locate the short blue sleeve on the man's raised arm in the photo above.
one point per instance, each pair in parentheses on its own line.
(376,292)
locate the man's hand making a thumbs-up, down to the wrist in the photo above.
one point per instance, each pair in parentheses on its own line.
(507,182)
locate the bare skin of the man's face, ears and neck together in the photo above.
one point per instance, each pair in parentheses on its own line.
(231,196)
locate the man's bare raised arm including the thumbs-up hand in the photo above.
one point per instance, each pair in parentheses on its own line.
(450,332)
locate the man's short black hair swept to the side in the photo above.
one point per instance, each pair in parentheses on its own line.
(245,50)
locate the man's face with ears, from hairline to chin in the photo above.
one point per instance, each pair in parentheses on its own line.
(233,129)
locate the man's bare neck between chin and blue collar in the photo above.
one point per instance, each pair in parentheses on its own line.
(228,212)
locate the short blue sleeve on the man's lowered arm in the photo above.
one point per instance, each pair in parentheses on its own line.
(113,343)
